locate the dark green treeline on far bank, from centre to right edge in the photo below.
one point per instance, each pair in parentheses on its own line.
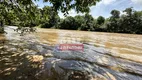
(129,22)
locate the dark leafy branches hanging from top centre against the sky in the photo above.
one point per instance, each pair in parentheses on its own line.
(78,5)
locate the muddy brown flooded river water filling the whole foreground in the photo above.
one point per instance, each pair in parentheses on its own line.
(106,56)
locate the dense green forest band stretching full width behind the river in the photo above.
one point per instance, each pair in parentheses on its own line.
(47,17)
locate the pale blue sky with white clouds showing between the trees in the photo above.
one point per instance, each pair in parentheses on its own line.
(102,8)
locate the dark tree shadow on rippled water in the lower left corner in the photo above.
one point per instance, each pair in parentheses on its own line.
(15,65)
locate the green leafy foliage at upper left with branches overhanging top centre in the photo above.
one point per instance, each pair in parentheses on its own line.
(24,13)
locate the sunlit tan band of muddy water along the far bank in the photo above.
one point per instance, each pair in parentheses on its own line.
(119,45)
